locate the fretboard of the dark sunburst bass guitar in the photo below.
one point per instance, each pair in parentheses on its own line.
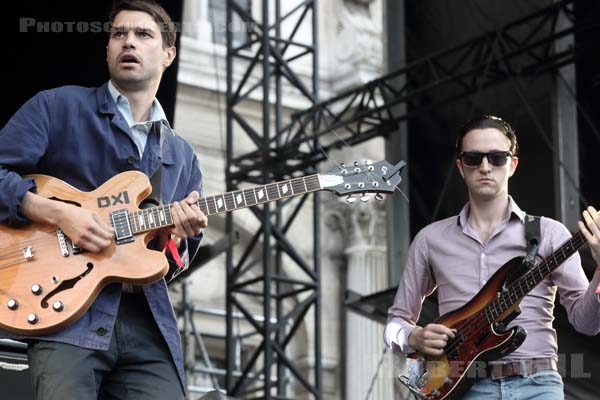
(519,289)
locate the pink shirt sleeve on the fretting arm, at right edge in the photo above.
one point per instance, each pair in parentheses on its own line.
(576,293)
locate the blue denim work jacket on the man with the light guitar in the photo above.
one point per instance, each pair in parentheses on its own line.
(77,135)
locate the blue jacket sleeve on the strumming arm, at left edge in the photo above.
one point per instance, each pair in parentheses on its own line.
(24,141)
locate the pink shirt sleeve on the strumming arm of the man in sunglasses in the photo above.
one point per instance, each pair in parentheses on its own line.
(416,283)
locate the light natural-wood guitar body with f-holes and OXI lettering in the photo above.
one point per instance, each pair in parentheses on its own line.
(42,288)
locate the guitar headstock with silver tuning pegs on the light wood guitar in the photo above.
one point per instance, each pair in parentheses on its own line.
(363,178)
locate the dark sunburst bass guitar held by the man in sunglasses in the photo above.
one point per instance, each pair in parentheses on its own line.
(481,328)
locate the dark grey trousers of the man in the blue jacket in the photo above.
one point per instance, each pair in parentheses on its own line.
(137,365)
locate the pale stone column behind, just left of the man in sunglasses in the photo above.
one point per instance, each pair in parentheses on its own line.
(363,227)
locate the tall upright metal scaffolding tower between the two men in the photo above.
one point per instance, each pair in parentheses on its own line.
(271,51)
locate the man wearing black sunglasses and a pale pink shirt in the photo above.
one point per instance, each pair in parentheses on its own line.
(459,254)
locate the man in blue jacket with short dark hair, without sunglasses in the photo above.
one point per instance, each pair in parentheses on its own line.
(127,345)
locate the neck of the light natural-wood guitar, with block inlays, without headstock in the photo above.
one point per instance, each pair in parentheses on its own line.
(161,217)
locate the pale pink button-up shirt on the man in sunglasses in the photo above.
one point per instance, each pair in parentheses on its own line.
(448,255)
